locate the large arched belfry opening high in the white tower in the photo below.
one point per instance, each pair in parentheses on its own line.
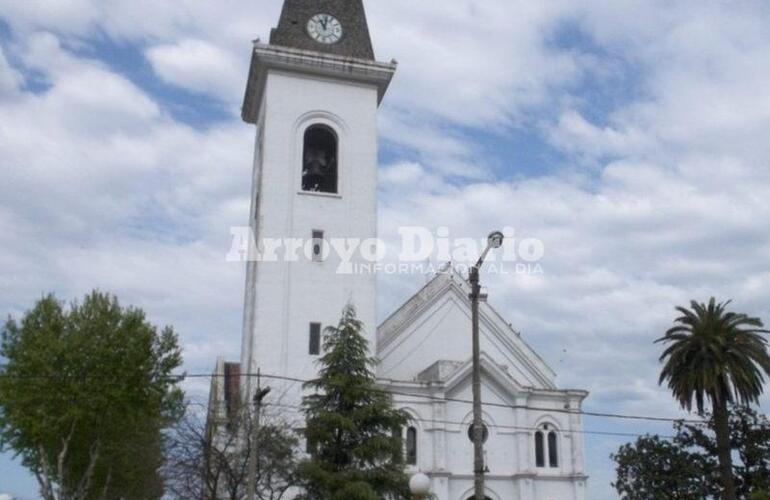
(319,160)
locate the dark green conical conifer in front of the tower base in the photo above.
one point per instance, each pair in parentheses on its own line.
(356,455)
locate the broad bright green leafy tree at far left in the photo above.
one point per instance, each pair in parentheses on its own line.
(84,396)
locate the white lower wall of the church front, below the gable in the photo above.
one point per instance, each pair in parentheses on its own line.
(446,454)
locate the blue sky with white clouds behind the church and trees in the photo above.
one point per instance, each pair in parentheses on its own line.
(631,137)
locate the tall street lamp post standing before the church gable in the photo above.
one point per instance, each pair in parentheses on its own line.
(495,240)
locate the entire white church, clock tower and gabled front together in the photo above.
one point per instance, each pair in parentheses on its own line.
(313,93)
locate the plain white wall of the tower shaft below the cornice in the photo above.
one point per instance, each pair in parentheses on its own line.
(282,298)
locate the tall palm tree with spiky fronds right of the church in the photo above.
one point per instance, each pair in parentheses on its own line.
(717,355)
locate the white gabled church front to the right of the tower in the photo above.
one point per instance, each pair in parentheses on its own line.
(534,448)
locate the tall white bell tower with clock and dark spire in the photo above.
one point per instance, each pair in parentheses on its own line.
(313,93)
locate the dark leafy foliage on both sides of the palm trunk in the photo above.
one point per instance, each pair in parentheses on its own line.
(687,467)
